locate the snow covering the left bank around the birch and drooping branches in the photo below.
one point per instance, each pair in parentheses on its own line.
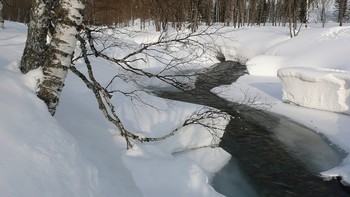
(79,153)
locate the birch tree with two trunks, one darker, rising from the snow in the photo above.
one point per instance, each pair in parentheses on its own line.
(54,57)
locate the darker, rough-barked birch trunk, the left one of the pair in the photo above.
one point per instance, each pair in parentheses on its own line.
(36,44)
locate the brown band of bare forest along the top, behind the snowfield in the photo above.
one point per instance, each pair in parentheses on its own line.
(190,13)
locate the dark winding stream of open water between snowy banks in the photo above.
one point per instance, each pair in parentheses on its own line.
(272,155)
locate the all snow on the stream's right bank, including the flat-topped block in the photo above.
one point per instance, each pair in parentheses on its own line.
(324,48)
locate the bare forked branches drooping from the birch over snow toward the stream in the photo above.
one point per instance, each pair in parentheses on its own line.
(103,95)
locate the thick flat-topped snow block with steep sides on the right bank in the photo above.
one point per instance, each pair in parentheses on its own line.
(318,88)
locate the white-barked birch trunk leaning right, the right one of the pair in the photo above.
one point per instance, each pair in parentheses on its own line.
(68,18)
